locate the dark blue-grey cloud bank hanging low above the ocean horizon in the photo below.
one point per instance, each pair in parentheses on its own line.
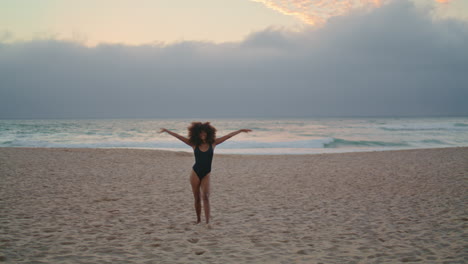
(394,61)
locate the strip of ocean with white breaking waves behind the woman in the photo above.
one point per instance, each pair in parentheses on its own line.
(269,136)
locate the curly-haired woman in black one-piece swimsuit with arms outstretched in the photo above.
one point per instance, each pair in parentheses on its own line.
(202,138)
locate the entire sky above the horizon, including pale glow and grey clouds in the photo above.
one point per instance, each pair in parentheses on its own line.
(233,58)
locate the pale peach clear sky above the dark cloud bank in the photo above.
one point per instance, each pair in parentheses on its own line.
(167,21)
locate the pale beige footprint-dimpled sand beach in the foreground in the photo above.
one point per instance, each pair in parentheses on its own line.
(136,206)
